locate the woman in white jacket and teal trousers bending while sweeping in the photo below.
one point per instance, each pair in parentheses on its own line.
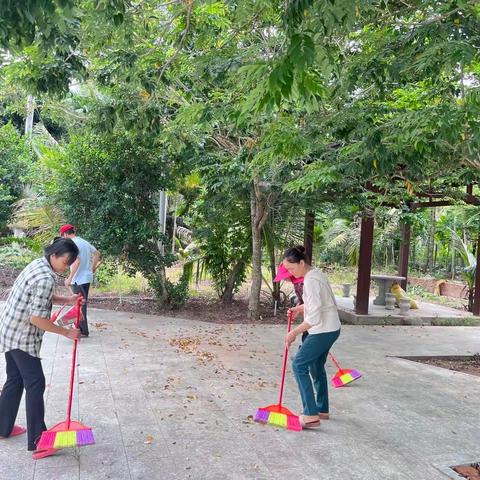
(320,319)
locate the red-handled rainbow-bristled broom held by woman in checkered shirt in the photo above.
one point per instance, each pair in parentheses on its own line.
(68,433)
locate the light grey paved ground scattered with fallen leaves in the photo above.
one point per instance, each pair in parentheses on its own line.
(173,399)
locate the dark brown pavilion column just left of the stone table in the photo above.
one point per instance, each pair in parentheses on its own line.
(364,263)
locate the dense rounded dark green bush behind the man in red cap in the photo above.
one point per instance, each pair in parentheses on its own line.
(108,187)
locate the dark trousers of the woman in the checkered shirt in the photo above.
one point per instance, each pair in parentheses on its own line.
(23,372)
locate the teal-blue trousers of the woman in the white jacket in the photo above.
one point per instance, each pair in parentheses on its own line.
(311,358)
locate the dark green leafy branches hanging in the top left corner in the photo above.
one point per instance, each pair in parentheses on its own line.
(46,34)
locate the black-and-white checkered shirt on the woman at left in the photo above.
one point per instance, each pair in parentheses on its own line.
(31,295)
